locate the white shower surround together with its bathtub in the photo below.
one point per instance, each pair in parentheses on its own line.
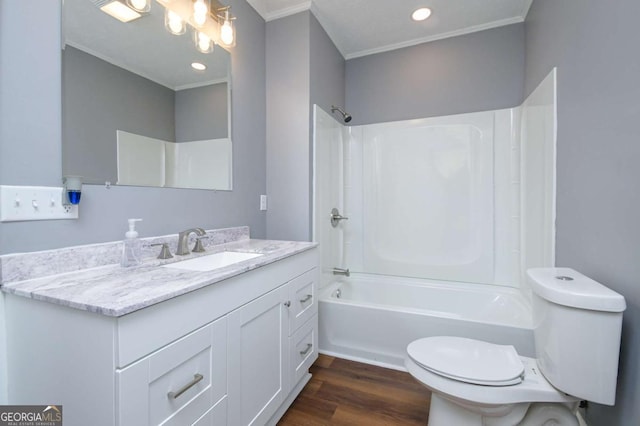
(445,214)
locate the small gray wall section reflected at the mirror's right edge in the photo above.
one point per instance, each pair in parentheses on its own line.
(201,113)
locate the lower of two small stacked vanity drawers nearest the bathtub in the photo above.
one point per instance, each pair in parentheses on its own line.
(303,349)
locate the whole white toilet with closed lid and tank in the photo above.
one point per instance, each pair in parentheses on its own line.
(577,325)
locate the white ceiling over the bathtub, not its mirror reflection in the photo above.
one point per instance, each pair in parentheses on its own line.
(364,27)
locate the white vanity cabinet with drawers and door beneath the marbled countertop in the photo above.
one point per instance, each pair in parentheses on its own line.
(235,352)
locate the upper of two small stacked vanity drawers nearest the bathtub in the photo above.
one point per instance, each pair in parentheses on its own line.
(303,298)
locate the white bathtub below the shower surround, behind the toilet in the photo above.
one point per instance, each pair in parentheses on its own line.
(372,319)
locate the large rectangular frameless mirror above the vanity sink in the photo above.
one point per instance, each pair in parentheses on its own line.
(134,111)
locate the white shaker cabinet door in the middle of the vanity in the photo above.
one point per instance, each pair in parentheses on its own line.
(258,359)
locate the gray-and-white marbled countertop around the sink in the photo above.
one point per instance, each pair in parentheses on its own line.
(115,291)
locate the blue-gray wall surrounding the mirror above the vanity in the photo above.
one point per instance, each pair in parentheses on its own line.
(30,140)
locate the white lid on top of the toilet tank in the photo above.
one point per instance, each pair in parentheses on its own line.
(568,287)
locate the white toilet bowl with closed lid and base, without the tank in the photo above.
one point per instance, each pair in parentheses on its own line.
(493,387)
